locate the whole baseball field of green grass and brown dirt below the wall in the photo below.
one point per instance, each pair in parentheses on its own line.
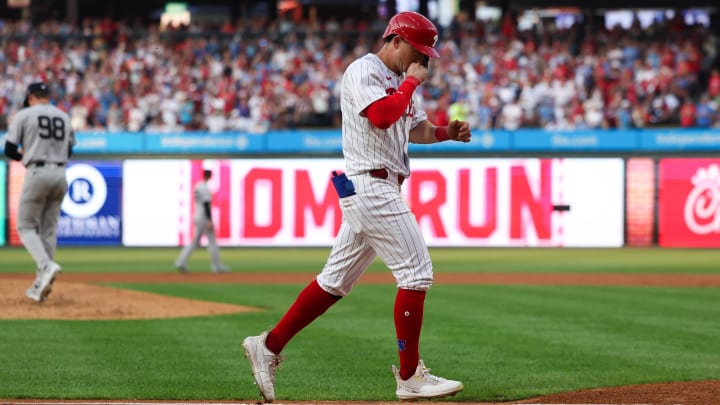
(515,325)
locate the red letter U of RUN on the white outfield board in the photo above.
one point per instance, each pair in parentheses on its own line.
(482,231)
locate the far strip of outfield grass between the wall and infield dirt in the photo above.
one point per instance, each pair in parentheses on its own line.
(283,260)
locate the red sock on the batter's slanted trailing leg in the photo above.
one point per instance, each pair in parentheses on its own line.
(312,302)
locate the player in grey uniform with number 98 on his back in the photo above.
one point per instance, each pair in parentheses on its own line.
(41,137)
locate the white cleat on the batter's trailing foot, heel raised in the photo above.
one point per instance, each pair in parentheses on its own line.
(263,363)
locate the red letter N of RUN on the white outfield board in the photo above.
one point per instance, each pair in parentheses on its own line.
(521,197)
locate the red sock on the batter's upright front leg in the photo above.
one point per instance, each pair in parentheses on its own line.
(408,322)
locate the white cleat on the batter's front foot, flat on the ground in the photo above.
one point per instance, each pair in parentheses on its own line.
(424,385)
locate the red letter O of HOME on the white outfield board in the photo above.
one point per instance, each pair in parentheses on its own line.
(274,177)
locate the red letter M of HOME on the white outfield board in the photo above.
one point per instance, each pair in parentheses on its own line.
(305,199)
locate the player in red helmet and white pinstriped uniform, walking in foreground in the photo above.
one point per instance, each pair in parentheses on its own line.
(380,116)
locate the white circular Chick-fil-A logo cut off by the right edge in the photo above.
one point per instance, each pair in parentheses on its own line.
(702,206)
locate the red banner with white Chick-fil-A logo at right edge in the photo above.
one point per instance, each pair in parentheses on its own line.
(689,203)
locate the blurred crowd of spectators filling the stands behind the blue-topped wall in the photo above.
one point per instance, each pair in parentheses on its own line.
(256,75)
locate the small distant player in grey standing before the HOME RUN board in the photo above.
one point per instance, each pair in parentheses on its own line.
(203,226)
